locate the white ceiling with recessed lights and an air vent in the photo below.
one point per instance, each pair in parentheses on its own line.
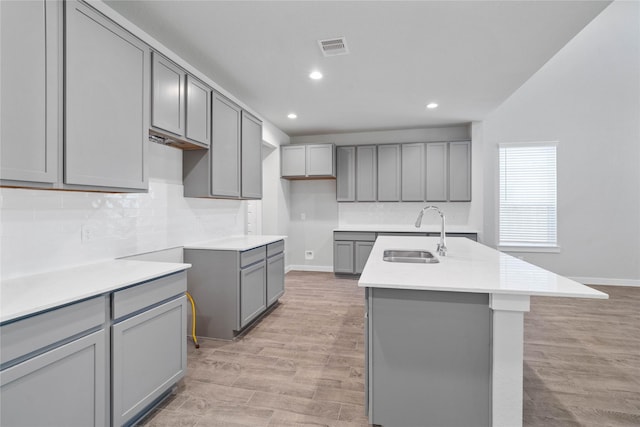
(468,56)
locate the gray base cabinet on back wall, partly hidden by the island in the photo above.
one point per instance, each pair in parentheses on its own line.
(351,251)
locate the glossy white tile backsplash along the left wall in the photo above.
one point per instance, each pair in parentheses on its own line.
(49,230)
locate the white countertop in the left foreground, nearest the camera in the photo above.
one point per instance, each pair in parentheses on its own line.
(27,295)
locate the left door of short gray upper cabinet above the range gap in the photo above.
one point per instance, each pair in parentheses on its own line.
(168,95)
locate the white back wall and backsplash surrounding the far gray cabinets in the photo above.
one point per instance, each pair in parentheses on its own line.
(316,199)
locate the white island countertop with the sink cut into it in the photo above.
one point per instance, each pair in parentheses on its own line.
(468,267)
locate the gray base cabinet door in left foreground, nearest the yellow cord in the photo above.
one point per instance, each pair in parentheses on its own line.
(149,355)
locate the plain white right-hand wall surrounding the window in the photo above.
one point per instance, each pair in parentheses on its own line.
(587,97)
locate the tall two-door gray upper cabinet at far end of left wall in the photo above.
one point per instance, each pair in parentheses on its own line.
(232,167)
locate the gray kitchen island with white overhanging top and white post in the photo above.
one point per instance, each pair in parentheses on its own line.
(444,341)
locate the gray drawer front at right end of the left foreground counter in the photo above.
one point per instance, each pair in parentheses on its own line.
(138,297)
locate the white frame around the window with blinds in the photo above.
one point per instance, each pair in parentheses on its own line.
(525,247)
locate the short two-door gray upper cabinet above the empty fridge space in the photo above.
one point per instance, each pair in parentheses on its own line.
(309,161)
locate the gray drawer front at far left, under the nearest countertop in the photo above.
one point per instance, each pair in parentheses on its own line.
(26,336)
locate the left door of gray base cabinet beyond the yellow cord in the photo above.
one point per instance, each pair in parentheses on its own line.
(253,296)
